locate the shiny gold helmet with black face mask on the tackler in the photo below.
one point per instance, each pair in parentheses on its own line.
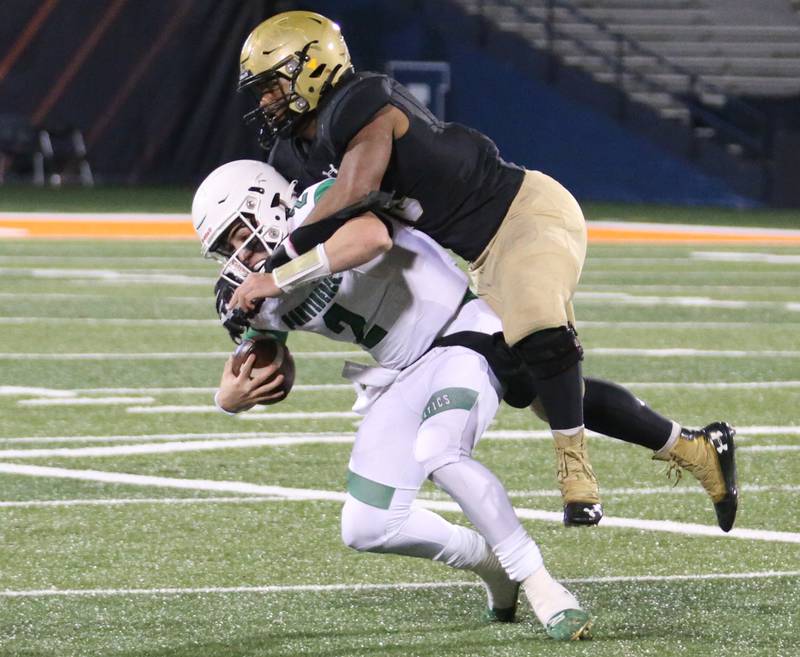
(305,49)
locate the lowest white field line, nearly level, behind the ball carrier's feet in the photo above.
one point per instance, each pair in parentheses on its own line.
(398,586)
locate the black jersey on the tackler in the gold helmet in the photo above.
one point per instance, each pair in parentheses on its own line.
(456,173)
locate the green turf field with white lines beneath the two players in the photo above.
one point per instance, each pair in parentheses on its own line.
(180,558)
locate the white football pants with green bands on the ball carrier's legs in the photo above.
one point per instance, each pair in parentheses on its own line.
(426,425)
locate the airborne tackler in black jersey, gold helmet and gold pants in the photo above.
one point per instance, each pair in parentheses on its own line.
(523,233)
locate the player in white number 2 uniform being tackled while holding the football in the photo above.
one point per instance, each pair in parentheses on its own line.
(425,408)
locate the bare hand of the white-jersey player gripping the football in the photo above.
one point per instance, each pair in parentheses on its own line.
(241,392)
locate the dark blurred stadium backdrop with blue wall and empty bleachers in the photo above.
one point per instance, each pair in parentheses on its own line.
(653,101)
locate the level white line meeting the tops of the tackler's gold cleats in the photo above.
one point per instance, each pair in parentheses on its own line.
(224,440)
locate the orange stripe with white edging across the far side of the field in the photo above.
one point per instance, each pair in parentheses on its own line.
(179,227)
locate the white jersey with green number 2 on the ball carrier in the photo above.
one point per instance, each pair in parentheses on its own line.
(393,306)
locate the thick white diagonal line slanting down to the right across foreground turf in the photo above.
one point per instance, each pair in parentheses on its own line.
(686,529)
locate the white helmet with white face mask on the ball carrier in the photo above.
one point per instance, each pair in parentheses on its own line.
(246,191)
